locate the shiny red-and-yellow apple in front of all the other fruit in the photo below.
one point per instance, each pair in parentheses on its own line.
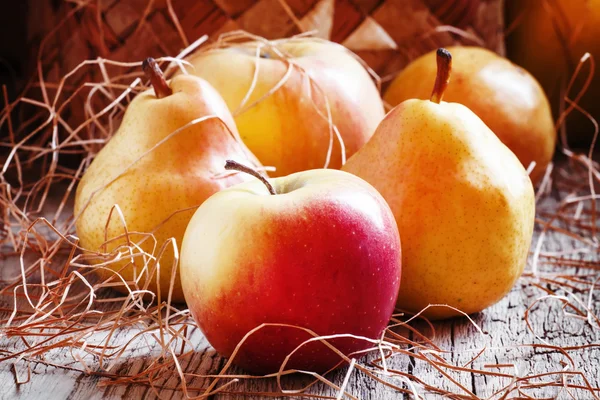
(324,256)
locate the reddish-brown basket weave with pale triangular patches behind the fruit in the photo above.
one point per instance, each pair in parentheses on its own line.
(387,34)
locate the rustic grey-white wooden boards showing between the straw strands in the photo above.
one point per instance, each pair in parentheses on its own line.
(504,324)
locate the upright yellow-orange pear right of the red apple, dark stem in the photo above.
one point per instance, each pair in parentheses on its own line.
(463,202)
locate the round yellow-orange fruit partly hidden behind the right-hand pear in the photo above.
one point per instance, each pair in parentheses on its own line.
(507,98)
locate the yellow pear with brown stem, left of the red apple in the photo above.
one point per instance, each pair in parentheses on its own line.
(160,165)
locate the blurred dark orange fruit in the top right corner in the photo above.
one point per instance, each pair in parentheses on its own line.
(549,40)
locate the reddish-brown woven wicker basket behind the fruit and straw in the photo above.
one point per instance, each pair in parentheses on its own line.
(387,34)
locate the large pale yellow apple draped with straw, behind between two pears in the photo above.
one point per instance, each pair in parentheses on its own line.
(293,85)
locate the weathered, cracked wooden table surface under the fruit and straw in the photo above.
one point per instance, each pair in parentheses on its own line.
(510,346)
